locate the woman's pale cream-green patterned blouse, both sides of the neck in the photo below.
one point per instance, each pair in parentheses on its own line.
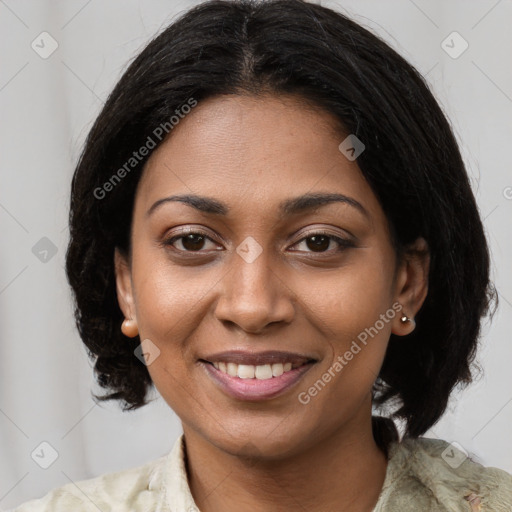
(423,475)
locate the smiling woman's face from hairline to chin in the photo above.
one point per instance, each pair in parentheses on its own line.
(261,285)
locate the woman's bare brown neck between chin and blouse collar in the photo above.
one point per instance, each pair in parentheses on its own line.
(342,472)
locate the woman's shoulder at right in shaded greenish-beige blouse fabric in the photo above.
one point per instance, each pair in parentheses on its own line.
(432,474)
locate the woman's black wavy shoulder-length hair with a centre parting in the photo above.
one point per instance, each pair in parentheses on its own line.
(411,161)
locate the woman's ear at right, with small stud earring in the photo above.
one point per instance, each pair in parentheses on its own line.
(411,285)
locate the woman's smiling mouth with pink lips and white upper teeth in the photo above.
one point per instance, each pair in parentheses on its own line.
(256,376)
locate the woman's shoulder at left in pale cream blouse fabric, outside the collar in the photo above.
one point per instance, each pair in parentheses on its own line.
(138,489)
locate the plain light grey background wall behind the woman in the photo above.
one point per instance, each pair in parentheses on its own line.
(47,108)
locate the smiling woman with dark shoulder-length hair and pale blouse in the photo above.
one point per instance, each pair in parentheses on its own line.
(271,222)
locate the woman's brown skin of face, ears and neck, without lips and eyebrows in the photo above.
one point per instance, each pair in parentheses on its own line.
(251,154)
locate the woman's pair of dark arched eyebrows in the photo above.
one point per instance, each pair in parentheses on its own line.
(287,207)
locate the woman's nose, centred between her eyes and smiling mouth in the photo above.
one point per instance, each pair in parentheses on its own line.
(253,296)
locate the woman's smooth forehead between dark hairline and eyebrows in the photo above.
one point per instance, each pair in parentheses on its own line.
(252,150)
